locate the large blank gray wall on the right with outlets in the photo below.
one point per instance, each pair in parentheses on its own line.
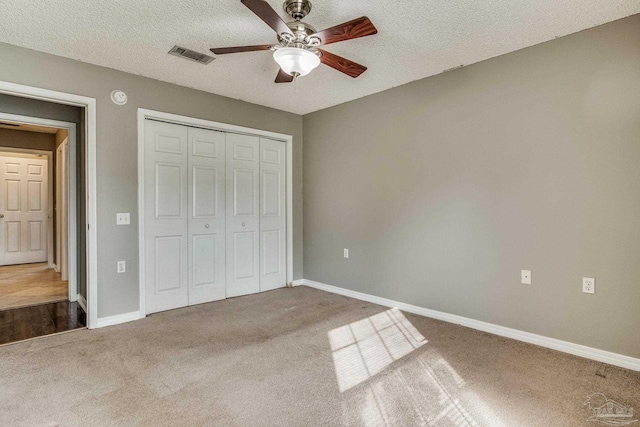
(445,188)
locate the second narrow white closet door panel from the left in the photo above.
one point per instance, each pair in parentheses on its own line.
(206,215)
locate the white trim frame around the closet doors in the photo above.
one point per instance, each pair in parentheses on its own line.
(144,114)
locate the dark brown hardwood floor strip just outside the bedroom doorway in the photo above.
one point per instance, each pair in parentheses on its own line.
(19,324)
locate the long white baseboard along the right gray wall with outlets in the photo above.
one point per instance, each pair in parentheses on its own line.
(552,343)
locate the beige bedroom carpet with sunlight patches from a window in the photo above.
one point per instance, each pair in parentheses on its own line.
(299,357)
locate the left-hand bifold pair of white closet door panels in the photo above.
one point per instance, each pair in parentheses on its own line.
(184,216)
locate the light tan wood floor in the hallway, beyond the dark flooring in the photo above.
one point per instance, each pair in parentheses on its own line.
(29,284)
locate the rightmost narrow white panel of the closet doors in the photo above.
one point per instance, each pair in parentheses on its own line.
(273,218)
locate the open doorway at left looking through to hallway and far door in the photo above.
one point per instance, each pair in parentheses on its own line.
(38,279)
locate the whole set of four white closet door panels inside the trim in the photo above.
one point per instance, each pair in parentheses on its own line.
(214,215)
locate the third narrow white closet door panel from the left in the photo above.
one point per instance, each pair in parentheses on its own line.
(243,215)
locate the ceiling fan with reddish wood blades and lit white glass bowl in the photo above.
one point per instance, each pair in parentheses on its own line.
(297,51)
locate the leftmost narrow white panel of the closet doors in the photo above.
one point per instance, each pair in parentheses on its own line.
(166,216)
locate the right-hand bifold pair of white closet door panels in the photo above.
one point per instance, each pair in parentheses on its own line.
(256,215)
